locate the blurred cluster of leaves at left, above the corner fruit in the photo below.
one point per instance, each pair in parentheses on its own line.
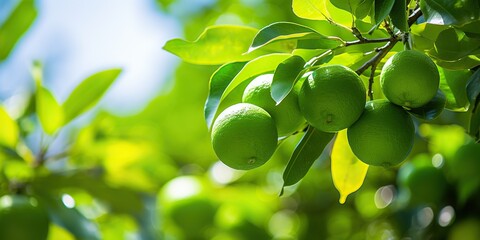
(23,162)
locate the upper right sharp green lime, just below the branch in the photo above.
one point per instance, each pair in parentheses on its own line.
(410,79)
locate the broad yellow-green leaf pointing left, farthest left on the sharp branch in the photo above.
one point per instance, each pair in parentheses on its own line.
(216,45)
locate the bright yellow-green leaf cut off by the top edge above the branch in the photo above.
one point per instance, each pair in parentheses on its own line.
(321,10)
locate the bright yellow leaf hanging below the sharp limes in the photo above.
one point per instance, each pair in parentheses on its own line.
(348,172)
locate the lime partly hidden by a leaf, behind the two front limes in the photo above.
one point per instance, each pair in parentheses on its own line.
(286,115)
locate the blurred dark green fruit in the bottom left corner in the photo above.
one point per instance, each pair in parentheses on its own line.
(22,218)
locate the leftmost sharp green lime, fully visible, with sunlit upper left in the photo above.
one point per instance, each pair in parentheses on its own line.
(244,136)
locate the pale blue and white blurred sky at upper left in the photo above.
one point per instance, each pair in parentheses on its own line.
(76,38)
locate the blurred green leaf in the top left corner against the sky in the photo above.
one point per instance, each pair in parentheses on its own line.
(15,26)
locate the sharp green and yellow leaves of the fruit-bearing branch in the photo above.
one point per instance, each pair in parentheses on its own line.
(358,34)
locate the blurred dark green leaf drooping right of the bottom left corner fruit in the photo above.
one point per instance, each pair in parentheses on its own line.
(69,218)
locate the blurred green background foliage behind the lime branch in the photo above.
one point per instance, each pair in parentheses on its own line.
(153,174)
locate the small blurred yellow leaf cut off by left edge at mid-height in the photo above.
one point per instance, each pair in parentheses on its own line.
(9,131)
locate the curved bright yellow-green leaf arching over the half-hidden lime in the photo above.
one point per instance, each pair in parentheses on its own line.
(257,66)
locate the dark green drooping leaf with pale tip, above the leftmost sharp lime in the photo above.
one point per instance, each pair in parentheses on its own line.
(219,81)
